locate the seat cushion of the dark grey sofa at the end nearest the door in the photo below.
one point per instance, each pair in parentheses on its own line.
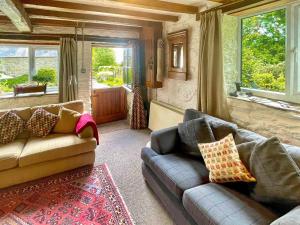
(178,172)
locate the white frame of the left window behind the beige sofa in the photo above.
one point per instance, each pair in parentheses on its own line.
(31,57)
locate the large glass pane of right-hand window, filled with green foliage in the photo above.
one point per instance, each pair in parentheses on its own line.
(263,51)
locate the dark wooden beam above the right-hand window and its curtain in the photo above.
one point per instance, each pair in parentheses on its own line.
(238,6)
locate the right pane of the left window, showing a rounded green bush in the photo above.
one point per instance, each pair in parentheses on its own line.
(46,67)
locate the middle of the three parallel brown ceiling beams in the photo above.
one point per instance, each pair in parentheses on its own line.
(88,17)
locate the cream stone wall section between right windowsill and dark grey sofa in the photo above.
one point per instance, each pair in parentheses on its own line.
(266,121)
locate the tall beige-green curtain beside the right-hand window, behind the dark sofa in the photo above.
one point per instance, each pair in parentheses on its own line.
(212,97)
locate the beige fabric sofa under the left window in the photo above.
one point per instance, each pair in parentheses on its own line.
(29,158)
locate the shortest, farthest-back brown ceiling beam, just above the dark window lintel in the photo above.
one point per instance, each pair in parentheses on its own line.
(68,23)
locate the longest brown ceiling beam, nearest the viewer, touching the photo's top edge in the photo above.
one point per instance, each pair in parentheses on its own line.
(100,9)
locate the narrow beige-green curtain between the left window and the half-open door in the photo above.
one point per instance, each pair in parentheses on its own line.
(68,79)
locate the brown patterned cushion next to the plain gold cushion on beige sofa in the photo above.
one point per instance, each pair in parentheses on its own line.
(41,123)
